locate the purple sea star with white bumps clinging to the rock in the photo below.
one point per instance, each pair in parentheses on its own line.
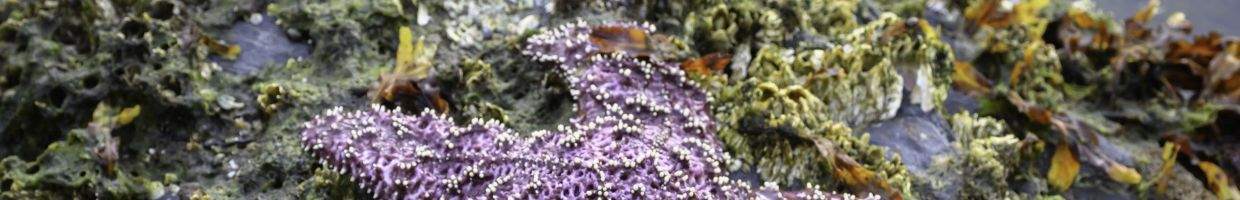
(643,131)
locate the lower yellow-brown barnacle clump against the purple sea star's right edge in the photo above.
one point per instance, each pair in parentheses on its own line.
(781,130)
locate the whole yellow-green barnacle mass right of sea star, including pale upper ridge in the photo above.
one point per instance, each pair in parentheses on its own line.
(852,81)
